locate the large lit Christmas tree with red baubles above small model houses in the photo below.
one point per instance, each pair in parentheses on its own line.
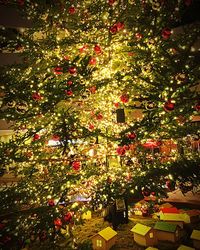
(102,106)
